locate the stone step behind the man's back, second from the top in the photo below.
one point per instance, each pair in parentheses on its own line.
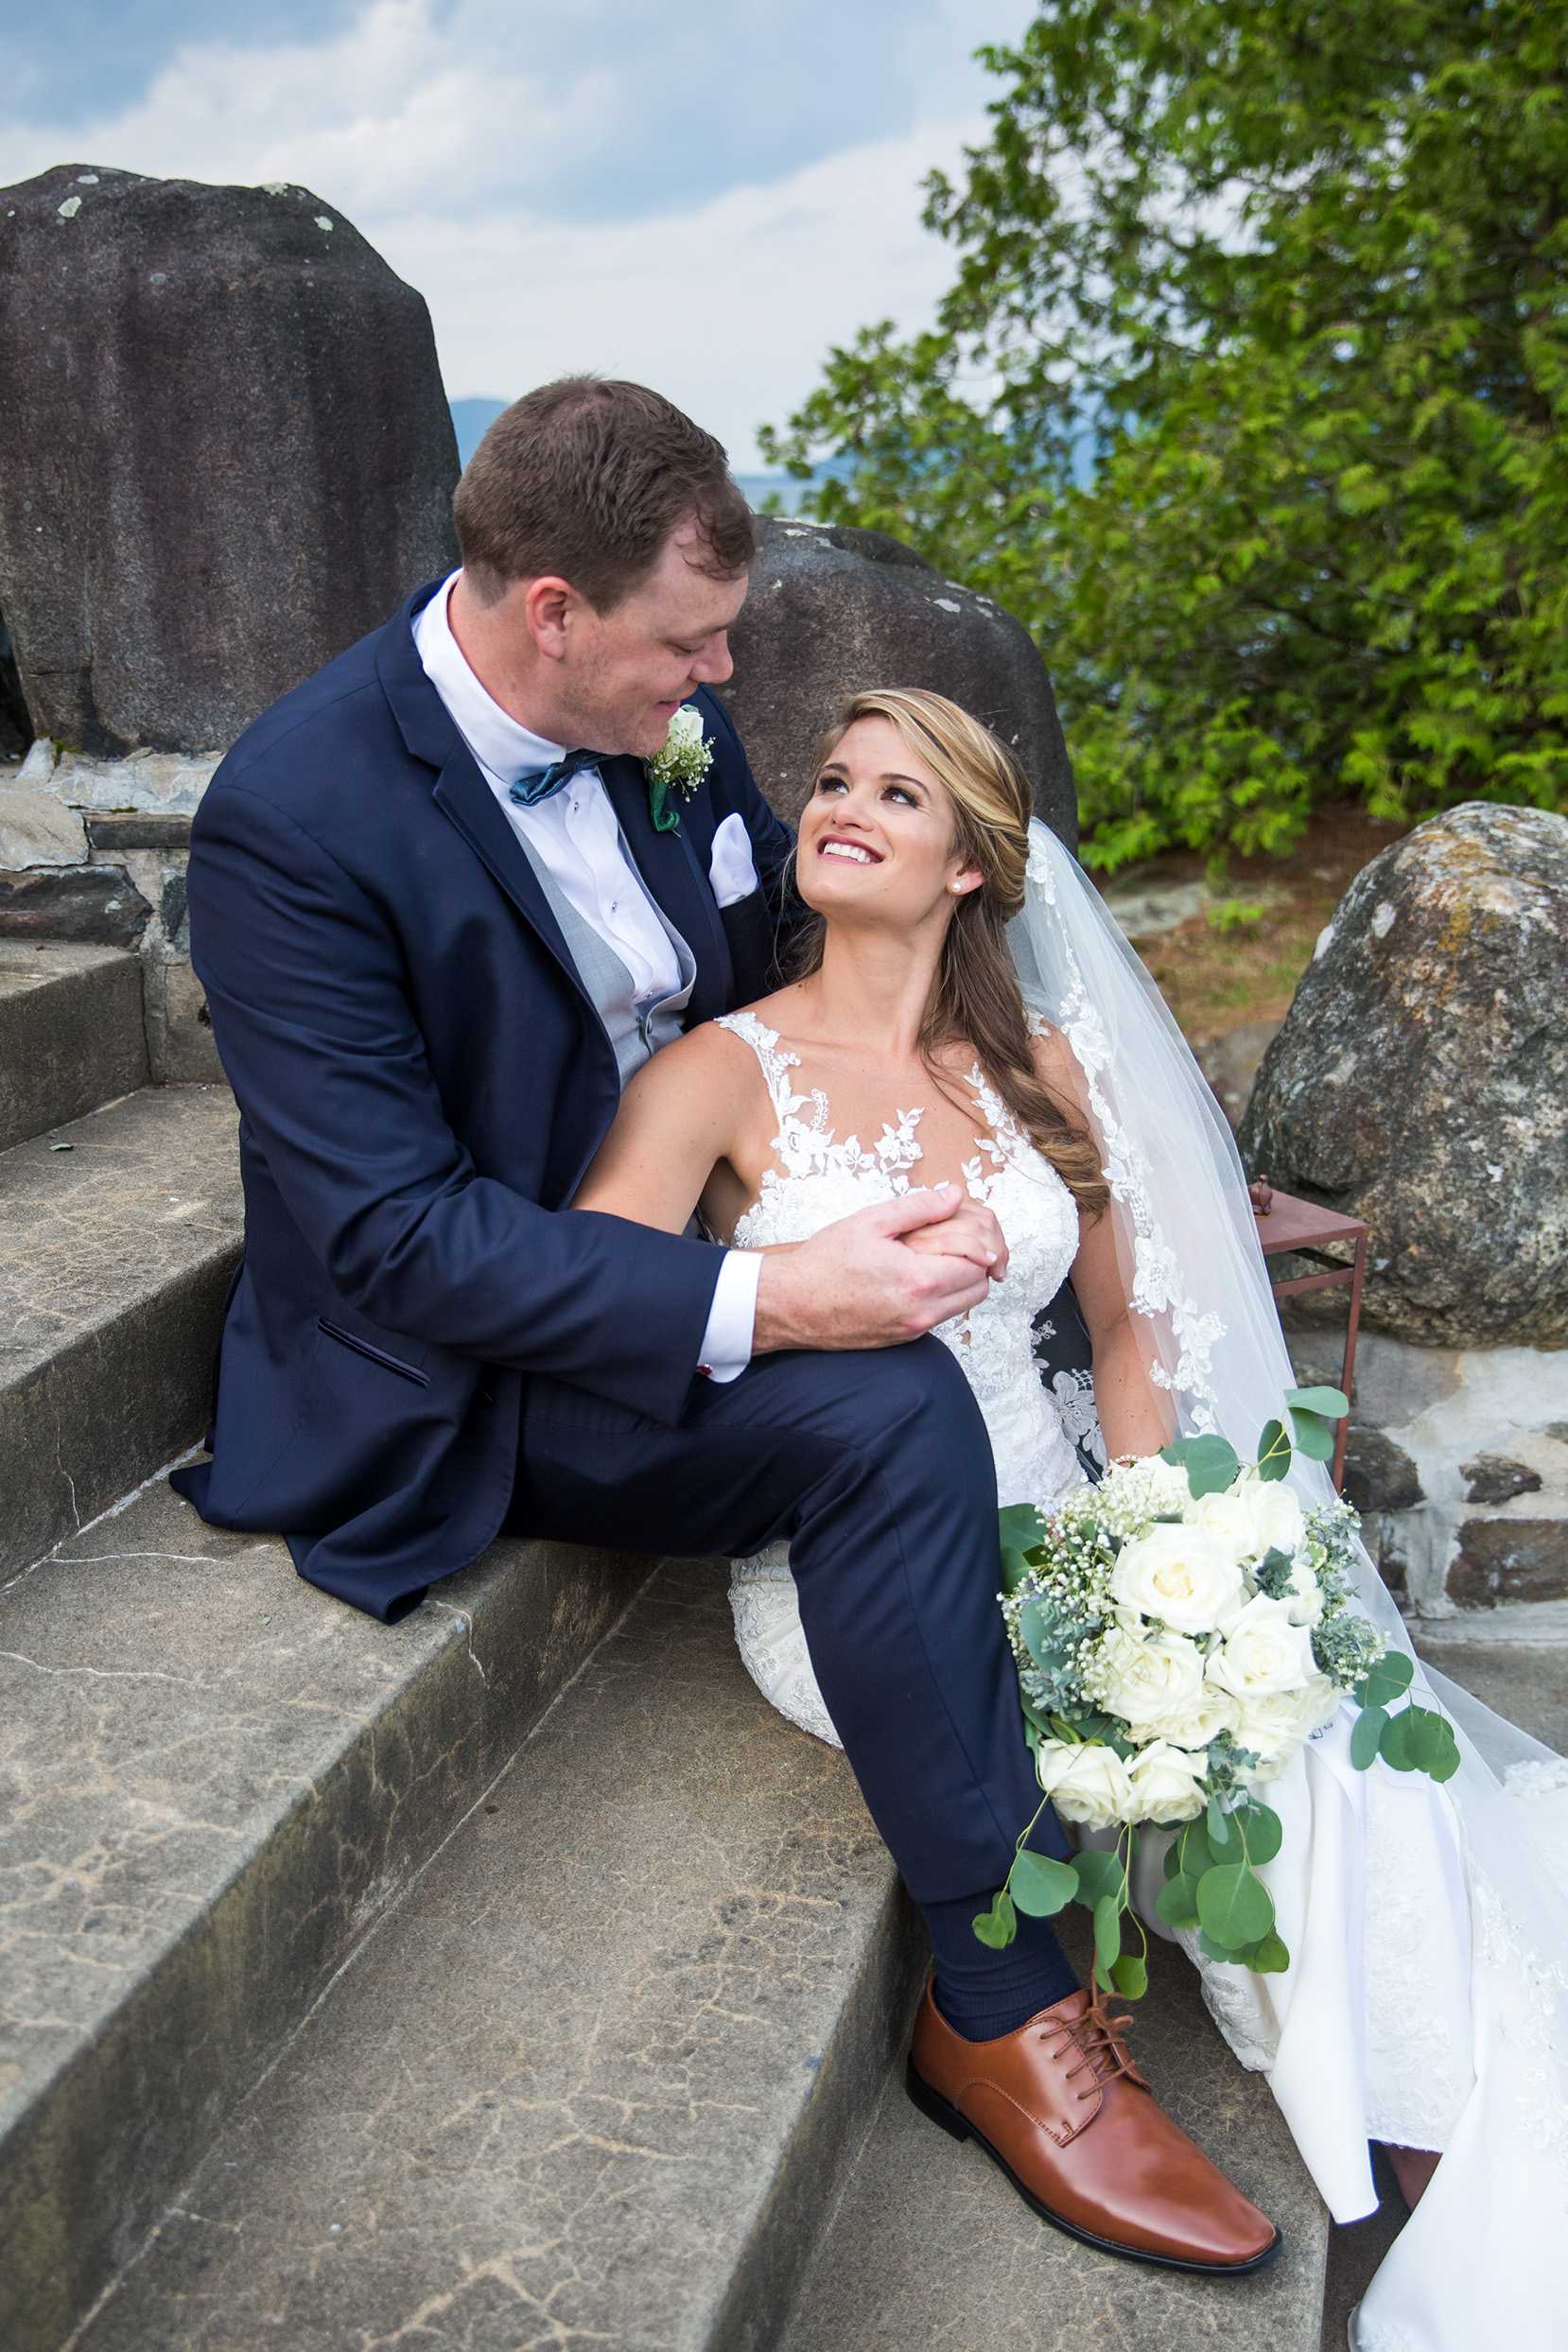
(114,1262)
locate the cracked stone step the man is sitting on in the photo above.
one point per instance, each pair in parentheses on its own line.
(213,1782)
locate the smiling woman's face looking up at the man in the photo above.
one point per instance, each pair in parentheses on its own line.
(876,838)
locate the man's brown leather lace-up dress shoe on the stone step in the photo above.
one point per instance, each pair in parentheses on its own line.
(1076,2127)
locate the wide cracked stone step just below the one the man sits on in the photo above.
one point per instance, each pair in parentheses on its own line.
(594,2080)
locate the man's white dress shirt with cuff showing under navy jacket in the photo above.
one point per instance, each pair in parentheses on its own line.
(577,836)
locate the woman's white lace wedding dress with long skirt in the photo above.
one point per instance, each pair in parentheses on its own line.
(1409,2012)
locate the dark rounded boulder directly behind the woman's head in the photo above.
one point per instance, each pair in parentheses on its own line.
(838,610)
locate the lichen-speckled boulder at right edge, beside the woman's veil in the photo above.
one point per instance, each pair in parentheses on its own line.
(1421,1081)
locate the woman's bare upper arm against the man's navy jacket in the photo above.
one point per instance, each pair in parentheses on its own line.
(674,1130)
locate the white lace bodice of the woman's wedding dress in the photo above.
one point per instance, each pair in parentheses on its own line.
(822,1180)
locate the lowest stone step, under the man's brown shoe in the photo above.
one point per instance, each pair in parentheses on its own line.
(932,2247)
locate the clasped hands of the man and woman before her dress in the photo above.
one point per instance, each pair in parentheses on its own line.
(883,1276)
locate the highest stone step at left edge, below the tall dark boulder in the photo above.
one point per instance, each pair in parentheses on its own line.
(72,1034)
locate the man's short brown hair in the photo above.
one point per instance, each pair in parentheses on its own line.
(587,479)
